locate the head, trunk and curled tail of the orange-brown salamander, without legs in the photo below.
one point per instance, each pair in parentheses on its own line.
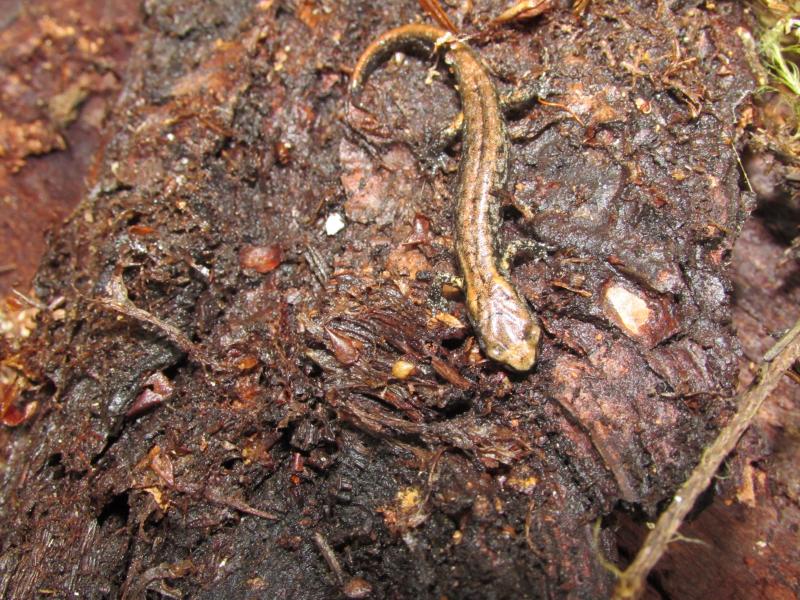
(507,330)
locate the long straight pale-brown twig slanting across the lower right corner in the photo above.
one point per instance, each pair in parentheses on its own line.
(776,362)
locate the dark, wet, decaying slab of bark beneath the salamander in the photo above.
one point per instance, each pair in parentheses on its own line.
(216,400)
